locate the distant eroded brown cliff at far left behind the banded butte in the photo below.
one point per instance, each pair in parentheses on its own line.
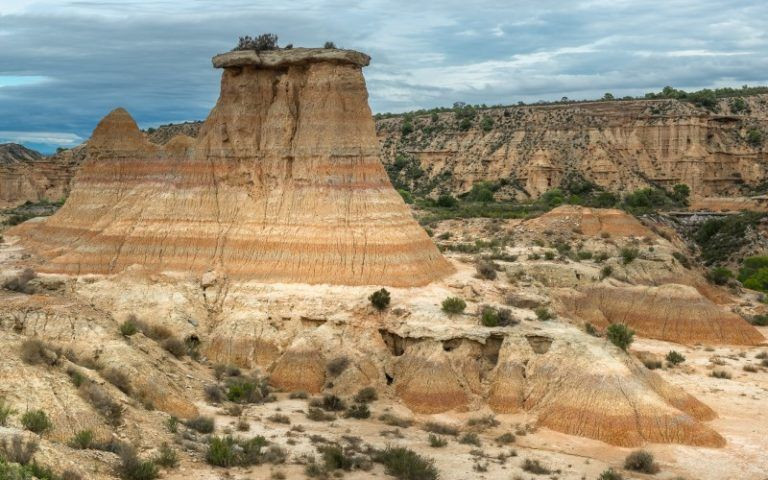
(26,175)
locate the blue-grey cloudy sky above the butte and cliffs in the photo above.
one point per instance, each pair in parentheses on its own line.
(65,64)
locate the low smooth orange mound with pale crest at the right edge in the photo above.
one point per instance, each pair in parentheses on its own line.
(676,313)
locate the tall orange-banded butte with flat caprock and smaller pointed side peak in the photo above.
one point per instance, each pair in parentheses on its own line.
(283,184)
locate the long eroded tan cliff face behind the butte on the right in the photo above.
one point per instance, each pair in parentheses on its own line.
(619,146)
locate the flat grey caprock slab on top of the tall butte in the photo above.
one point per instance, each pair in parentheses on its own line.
(281,58)
